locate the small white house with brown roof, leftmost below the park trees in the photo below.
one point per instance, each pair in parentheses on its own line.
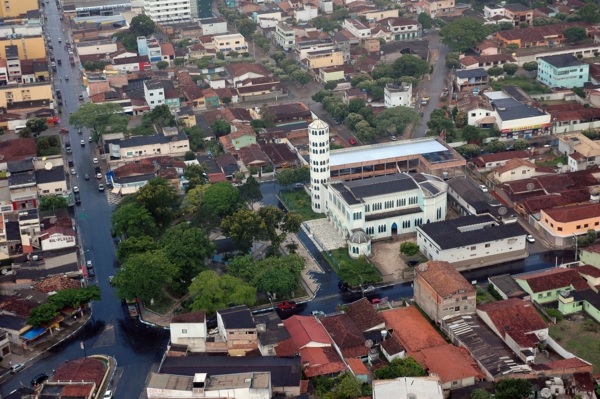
(189,329)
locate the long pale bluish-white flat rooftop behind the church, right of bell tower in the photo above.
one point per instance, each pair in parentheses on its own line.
(376,152)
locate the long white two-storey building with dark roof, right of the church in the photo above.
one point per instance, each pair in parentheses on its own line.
(472,241)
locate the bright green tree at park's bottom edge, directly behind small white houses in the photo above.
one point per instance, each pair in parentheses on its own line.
(211,292)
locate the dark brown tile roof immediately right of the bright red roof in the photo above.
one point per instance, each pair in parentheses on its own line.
(346,335)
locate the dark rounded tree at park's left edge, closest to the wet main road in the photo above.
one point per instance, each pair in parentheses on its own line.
(133,220)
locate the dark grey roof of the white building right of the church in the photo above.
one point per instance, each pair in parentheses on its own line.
(461,232)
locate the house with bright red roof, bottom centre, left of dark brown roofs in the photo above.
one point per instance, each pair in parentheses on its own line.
(311,340)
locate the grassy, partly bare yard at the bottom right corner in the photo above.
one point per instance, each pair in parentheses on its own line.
(579,335)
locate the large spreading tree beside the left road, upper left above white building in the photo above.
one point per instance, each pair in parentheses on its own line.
(100,118)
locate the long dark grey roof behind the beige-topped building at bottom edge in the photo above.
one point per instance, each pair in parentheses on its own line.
(285,371)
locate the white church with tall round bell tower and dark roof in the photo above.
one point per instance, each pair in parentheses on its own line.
(374,207)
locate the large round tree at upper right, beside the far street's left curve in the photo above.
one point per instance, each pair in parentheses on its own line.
(463,33)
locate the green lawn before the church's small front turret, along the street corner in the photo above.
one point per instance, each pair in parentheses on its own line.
(352,271)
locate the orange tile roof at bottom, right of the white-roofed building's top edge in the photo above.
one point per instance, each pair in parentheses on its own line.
(448,362)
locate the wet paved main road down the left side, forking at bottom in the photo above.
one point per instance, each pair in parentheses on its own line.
(112,331)
